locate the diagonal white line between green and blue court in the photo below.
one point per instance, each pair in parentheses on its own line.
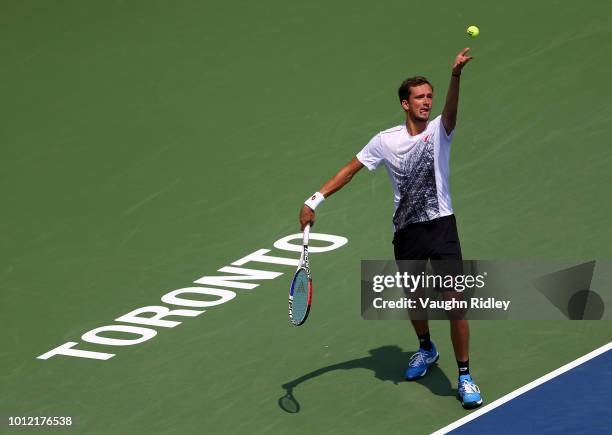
(491,406)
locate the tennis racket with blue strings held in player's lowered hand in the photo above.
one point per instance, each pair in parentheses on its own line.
(300,295)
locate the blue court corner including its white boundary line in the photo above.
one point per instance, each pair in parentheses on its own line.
(576,398)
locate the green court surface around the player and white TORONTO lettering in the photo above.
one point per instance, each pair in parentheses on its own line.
(146,144)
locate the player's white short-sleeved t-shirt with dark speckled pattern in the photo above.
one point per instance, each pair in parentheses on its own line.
(418,169)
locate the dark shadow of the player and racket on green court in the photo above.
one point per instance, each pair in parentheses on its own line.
(388,364)
